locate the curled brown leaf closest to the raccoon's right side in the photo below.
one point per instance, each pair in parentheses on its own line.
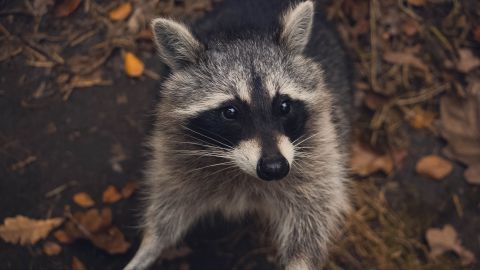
(365,162)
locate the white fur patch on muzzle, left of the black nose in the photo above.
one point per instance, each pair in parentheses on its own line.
(246,156)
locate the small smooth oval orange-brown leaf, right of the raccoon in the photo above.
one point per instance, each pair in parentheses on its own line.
(434,167)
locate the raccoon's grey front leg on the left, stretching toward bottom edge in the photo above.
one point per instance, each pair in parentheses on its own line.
(166,224)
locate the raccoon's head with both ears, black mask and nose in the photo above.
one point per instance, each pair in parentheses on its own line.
(247,100)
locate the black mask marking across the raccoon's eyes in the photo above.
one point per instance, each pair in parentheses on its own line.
(218,127)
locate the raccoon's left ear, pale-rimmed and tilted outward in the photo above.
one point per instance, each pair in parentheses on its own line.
(175,43)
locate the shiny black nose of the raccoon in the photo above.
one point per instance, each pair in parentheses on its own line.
(272,168)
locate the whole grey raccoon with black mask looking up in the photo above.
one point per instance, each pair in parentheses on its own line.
(253,118)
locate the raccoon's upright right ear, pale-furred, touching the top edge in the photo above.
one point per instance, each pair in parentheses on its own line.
(296,25)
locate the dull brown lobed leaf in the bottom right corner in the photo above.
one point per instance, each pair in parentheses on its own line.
(446,239)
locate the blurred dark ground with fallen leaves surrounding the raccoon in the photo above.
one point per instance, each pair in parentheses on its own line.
(77,82)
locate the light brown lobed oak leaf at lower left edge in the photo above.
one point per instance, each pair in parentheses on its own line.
(23,230)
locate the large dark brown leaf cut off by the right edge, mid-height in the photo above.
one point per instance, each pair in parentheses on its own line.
(460,126)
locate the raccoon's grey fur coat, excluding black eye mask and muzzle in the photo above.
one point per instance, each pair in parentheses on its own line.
(303,211)
